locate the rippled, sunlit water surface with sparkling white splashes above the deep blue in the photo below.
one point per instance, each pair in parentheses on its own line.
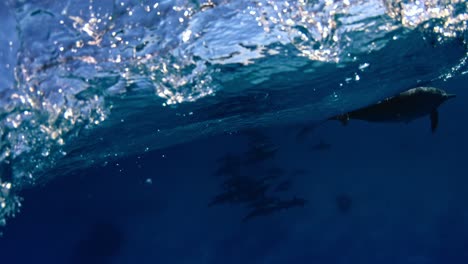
(87,82)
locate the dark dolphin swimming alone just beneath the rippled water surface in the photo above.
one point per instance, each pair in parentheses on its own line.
(404,107)
